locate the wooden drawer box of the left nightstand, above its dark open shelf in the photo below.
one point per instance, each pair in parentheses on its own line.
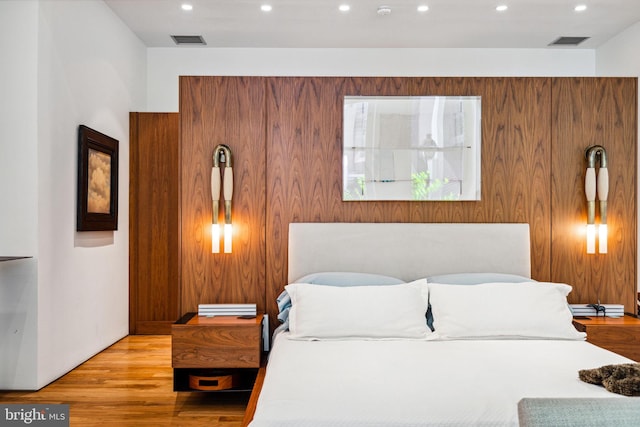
(220,342)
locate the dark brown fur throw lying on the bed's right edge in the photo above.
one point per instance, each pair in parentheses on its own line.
(620,379)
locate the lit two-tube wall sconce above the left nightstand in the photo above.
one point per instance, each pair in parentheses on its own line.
(221,154)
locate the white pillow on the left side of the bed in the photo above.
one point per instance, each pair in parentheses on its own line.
(356,312)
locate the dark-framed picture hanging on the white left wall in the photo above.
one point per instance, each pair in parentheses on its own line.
(97,204)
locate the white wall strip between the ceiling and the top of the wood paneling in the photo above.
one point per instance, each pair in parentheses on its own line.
(164,65)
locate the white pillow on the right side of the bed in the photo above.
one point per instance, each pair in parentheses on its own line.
(502,310)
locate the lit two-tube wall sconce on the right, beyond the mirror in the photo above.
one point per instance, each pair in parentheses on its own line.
(601,187)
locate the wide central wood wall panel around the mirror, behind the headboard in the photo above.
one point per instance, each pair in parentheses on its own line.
(304,146)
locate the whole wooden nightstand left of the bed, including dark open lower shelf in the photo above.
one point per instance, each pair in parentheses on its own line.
(221,353)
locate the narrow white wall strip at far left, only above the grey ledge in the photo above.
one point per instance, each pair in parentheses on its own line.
(18,127)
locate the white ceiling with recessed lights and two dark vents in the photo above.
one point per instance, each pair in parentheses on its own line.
(319,23)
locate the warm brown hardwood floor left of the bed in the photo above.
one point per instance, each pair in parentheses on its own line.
(131,384)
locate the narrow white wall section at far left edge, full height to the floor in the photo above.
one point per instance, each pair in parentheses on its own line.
(18,192)
